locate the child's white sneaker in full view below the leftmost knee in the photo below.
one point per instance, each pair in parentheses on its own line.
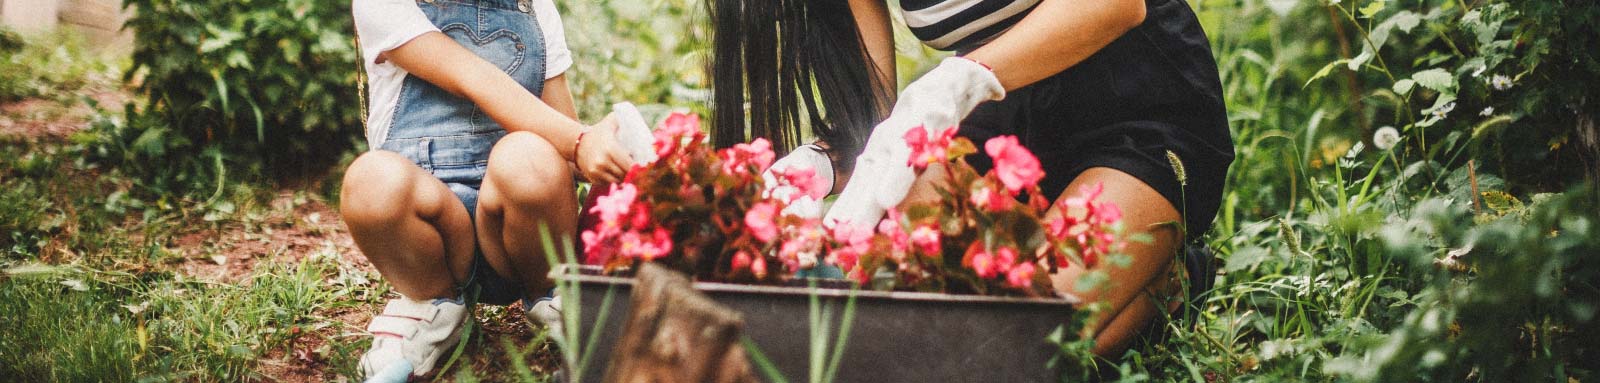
(410,336)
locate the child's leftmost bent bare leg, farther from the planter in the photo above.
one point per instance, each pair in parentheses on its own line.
(409,225)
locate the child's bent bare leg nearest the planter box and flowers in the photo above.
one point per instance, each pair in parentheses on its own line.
(529,185)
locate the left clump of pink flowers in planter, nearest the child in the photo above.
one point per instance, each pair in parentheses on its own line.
(706,212)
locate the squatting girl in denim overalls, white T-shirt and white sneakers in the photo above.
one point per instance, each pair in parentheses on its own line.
(474,142)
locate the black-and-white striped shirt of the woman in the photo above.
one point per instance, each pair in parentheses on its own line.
(962,25)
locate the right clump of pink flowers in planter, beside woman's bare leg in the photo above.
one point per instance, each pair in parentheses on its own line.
(986,235)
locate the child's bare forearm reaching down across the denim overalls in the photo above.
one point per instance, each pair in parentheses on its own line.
(439,60)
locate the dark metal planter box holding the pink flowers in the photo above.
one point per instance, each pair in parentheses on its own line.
(895,336)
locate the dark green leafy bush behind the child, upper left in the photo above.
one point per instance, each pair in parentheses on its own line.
(270,84)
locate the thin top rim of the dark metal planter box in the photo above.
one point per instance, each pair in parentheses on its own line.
(575,273)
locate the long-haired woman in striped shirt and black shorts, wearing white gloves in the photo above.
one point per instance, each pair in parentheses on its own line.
(1105,92)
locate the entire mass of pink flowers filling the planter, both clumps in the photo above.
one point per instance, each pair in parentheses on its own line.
(711,214)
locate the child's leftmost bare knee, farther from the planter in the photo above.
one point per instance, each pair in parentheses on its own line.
(378,188)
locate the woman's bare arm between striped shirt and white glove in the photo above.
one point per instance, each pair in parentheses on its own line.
(1058,34)
